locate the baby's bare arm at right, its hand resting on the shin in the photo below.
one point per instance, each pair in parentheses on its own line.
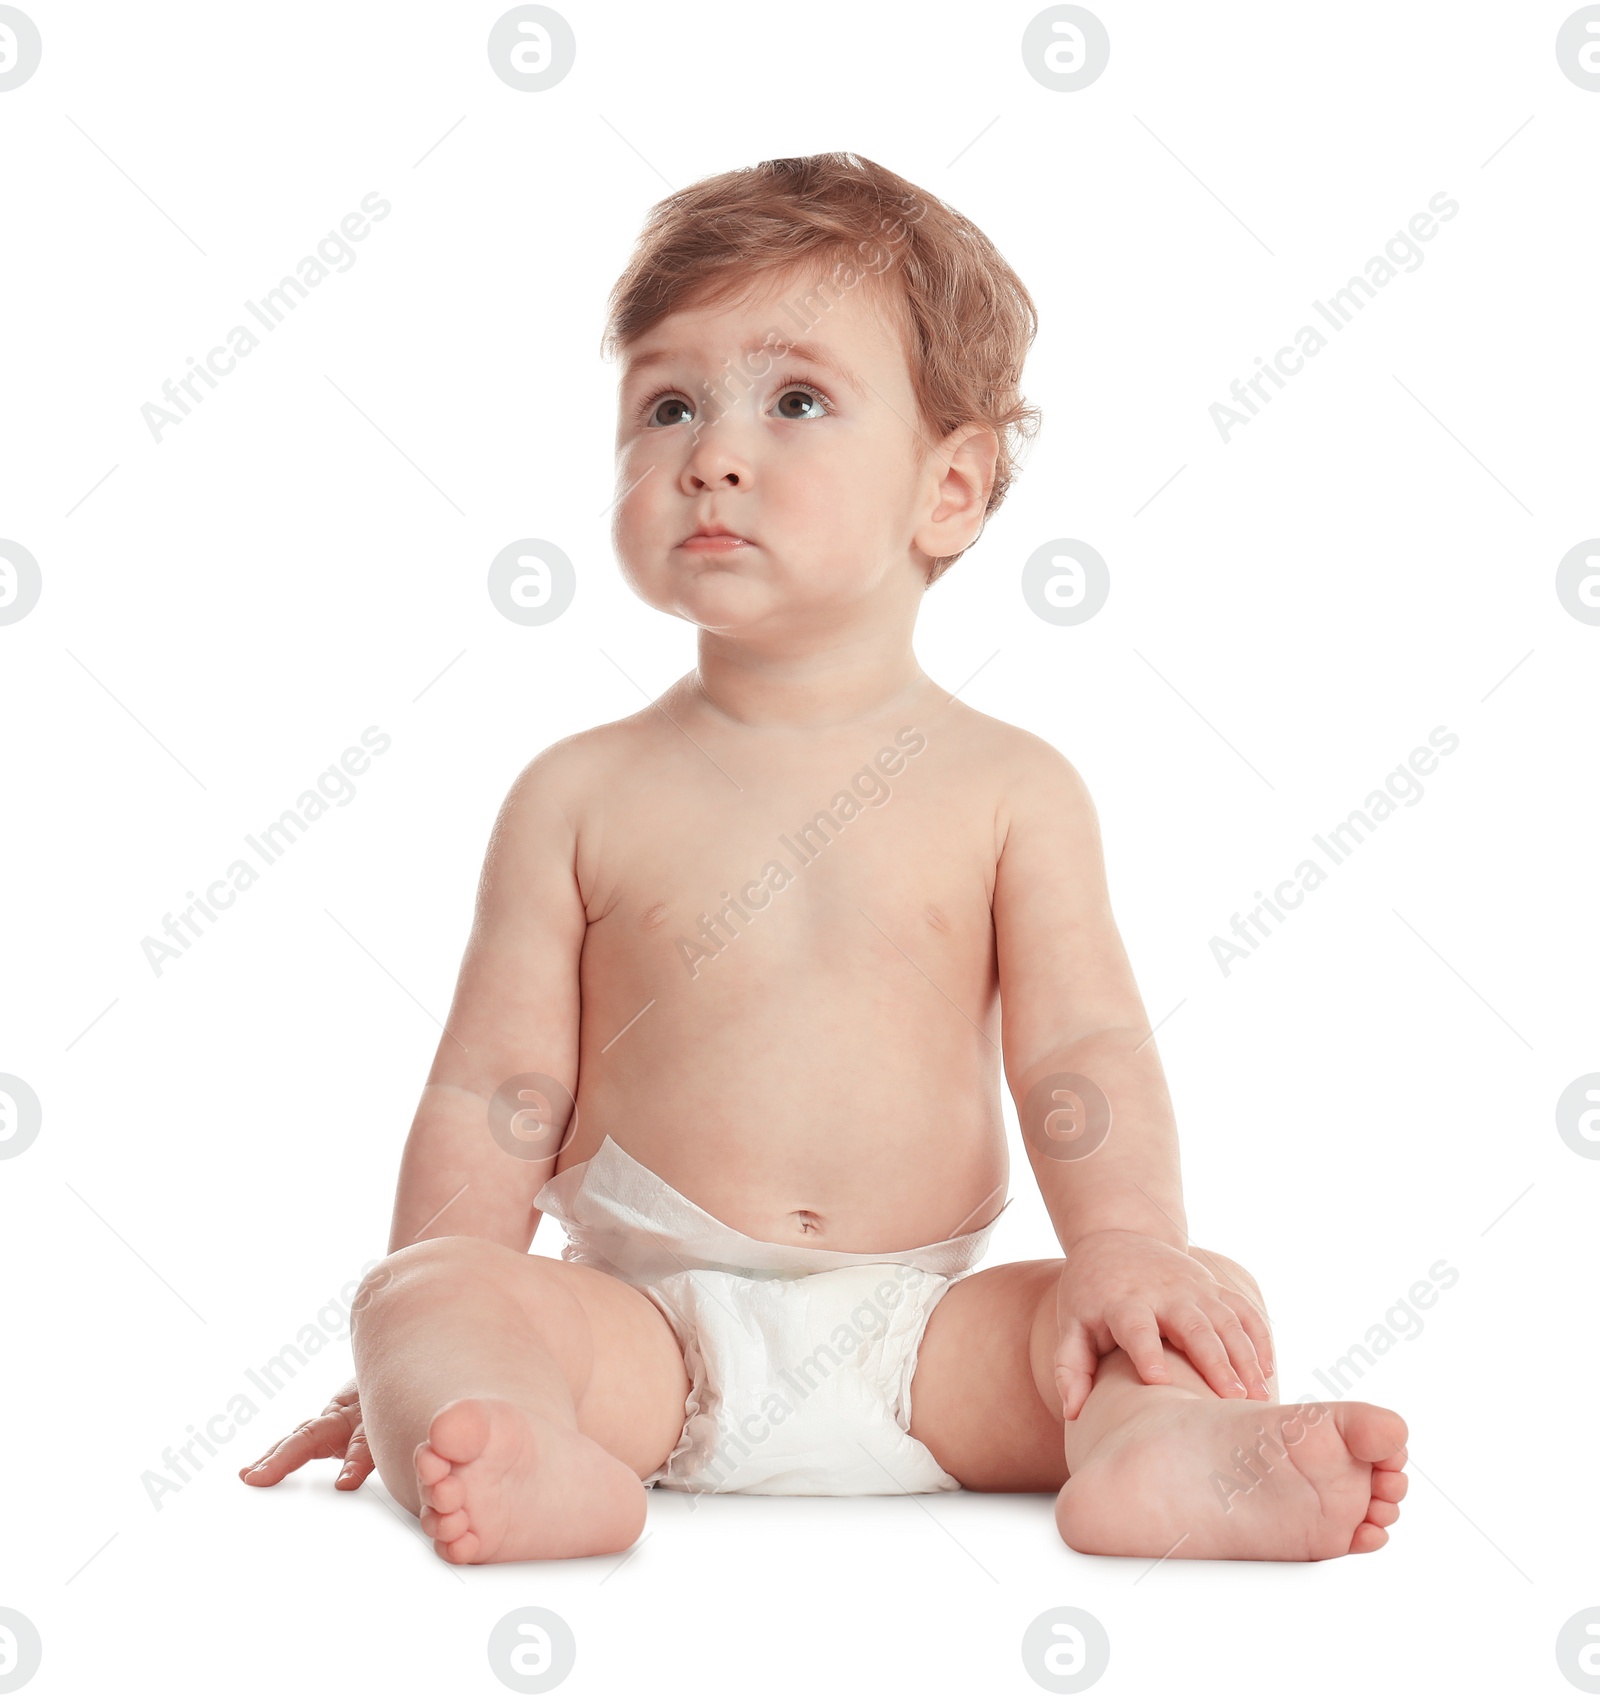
(1070,1010)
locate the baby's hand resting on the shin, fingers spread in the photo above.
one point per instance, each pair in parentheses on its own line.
(1128,1290)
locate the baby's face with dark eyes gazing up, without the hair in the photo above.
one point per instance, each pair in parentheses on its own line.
(809,450)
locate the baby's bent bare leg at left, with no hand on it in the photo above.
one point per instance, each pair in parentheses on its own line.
(516,1402)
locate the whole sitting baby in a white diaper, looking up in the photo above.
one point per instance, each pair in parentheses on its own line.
(744,976)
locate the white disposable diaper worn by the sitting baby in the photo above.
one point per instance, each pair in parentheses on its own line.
(800,1360)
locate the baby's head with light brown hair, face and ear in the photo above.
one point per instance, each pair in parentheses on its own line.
(826,361)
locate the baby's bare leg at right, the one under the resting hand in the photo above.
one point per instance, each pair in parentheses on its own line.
(1150,1469)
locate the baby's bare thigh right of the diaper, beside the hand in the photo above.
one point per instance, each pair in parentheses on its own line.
(977,1401)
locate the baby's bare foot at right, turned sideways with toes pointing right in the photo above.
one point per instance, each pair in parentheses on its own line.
(1177,1479)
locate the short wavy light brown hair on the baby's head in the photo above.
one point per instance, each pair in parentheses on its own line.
(963,316)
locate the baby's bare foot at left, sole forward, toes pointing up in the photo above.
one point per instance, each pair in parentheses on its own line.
(502,1484)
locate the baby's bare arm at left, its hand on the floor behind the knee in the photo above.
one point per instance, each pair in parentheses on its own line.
(516,1013)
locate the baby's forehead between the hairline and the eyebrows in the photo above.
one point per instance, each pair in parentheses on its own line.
(802,314)
